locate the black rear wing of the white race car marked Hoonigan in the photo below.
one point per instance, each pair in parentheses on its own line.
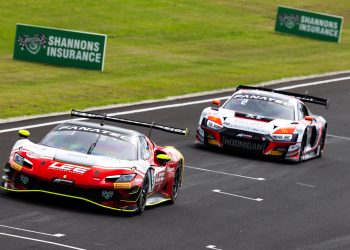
(304,98)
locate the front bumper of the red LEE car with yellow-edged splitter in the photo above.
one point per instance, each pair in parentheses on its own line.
(120,200)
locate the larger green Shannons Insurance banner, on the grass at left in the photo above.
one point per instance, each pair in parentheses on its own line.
(60,47)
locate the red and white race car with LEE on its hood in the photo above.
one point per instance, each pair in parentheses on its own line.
(109,166)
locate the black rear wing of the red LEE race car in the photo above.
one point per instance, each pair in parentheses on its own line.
(152,125)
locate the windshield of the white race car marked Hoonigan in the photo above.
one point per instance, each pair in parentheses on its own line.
(261,107)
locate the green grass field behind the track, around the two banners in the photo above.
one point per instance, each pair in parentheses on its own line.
(161,48)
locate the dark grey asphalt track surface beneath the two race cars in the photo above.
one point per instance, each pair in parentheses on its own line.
(262,203)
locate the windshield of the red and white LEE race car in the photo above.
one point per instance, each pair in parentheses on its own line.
(92,143)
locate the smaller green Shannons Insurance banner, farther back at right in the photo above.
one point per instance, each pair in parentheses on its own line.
(307,23)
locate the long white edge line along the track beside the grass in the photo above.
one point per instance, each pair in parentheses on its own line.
(172,105)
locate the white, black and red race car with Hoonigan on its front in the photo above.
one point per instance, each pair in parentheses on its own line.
(265,121)
